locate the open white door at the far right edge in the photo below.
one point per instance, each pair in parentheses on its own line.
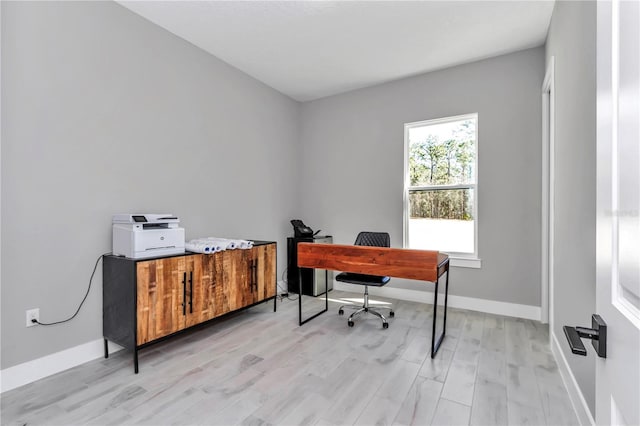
(618,210)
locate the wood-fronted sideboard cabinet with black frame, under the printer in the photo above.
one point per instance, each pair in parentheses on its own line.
(146,300)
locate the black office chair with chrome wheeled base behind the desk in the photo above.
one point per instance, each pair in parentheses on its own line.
(375,239)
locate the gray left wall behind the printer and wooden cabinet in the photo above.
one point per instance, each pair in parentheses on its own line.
(102,113)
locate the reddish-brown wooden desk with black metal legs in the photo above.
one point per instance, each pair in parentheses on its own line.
(421,265)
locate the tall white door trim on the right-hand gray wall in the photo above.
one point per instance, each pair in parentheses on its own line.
(548,193)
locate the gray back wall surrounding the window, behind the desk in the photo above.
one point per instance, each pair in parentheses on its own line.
(352,156)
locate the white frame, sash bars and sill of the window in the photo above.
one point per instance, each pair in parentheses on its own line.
(468,260)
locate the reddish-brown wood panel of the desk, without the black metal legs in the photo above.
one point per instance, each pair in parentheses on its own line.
(394,262)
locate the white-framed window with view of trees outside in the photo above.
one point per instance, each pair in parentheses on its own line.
(440,198)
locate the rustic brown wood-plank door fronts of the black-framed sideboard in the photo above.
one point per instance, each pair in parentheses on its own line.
(215,284)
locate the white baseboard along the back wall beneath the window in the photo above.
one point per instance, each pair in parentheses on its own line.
(460,302)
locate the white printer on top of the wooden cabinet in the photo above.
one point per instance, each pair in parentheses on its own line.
(140,236)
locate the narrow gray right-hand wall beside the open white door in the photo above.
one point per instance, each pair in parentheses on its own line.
(572,41)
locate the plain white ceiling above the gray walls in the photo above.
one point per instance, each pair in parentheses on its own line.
(312,49)
